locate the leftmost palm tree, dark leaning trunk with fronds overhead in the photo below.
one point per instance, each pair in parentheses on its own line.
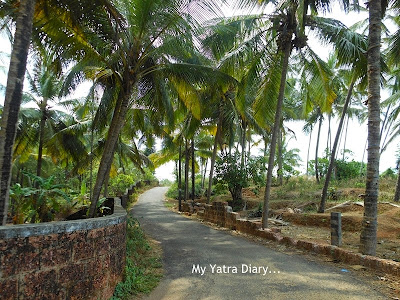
(23,13)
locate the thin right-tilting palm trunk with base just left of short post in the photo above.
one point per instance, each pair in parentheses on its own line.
(321,208)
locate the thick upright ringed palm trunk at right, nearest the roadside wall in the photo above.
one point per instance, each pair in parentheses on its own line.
(369,224)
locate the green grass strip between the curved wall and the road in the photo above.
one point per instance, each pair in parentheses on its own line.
(143,268)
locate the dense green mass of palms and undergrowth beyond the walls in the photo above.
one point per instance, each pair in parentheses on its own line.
(206,85)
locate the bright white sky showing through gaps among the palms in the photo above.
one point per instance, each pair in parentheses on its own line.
(357,133)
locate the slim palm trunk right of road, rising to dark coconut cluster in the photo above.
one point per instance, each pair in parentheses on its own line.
(275,132)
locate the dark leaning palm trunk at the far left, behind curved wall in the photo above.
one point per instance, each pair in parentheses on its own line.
(12,101)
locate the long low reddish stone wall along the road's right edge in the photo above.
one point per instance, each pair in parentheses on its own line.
(220,214)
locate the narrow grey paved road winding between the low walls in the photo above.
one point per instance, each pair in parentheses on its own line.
(274,275)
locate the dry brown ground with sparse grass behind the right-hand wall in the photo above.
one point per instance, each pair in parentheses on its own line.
(306,224)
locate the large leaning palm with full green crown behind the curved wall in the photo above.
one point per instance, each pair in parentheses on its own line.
(130,62)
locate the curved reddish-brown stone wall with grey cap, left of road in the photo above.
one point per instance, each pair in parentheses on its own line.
(81,259)
